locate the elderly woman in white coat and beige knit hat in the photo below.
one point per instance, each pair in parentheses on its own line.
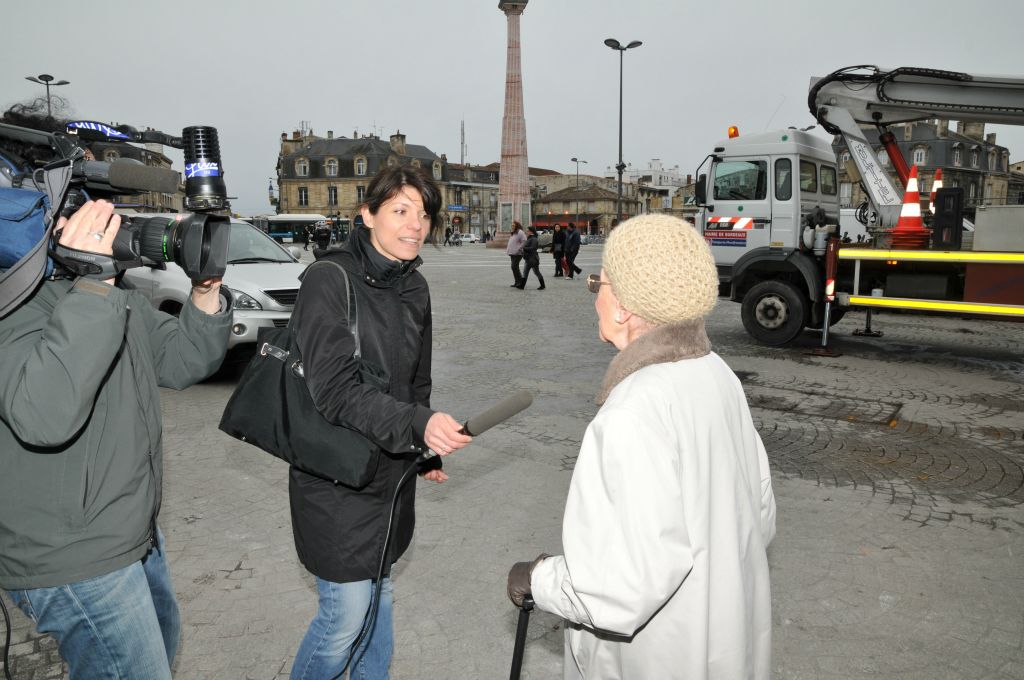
(670,512)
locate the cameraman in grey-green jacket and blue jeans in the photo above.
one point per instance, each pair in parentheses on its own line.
(80,450)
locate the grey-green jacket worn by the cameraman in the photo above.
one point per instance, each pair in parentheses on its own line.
(81,461)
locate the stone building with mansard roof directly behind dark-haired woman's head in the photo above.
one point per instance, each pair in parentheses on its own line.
(330,176)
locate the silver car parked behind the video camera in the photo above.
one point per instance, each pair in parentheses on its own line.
(263,275)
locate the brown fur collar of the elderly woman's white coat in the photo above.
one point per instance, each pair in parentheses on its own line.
(660,346)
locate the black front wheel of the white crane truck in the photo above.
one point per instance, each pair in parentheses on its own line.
(775,313)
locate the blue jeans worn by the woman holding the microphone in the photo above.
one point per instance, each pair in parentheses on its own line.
(339,618)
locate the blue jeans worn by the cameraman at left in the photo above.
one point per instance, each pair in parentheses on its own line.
(120,626)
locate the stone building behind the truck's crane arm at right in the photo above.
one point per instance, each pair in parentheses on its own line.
(969,158)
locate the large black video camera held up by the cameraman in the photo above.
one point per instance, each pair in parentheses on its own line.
(197,241)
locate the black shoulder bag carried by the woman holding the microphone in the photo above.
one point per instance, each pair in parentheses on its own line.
(272,409)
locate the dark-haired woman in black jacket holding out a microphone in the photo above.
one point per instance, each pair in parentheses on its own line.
(338,531)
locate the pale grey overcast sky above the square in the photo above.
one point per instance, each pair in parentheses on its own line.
(257,69)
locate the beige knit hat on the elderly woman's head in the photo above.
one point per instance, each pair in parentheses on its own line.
(662,270)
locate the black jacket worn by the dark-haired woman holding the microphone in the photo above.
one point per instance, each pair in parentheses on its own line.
(338,531)
